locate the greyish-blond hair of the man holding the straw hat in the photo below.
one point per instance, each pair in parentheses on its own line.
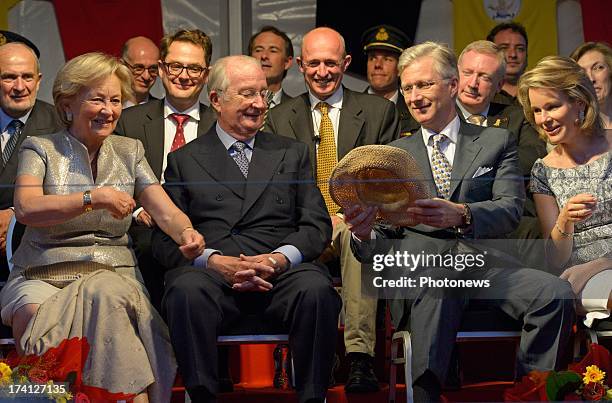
(445,62)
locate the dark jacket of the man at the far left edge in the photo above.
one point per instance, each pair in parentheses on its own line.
(42,120)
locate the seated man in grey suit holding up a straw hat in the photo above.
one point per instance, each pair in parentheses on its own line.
(474,173)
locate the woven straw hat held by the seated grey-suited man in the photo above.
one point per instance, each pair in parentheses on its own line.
(377,175)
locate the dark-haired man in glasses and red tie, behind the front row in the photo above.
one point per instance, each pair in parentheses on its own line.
(167,124)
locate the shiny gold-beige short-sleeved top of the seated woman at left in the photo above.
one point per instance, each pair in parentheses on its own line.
(62,164)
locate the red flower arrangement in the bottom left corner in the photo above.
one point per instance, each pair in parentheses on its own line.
(56,374)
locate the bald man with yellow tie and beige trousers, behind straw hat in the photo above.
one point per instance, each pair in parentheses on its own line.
(350,120)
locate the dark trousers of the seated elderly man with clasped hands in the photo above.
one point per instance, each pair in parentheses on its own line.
(199,305)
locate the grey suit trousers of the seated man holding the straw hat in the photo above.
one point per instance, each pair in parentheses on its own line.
(544,303)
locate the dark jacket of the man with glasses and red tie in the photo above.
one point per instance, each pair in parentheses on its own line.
(146,123)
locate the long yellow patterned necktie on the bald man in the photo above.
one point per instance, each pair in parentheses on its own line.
(327,157)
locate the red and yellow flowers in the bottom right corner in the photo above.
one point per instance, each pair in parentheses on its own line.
(583,381)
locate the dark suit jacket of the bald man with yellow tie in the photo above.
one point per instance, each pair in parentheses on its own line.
(364,119)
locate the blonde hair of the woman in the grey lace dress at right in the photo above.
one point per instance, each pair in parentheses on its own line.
(565,75)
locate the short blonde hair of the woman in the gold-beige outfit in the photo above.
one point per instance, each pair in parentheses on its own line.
(83,71)
